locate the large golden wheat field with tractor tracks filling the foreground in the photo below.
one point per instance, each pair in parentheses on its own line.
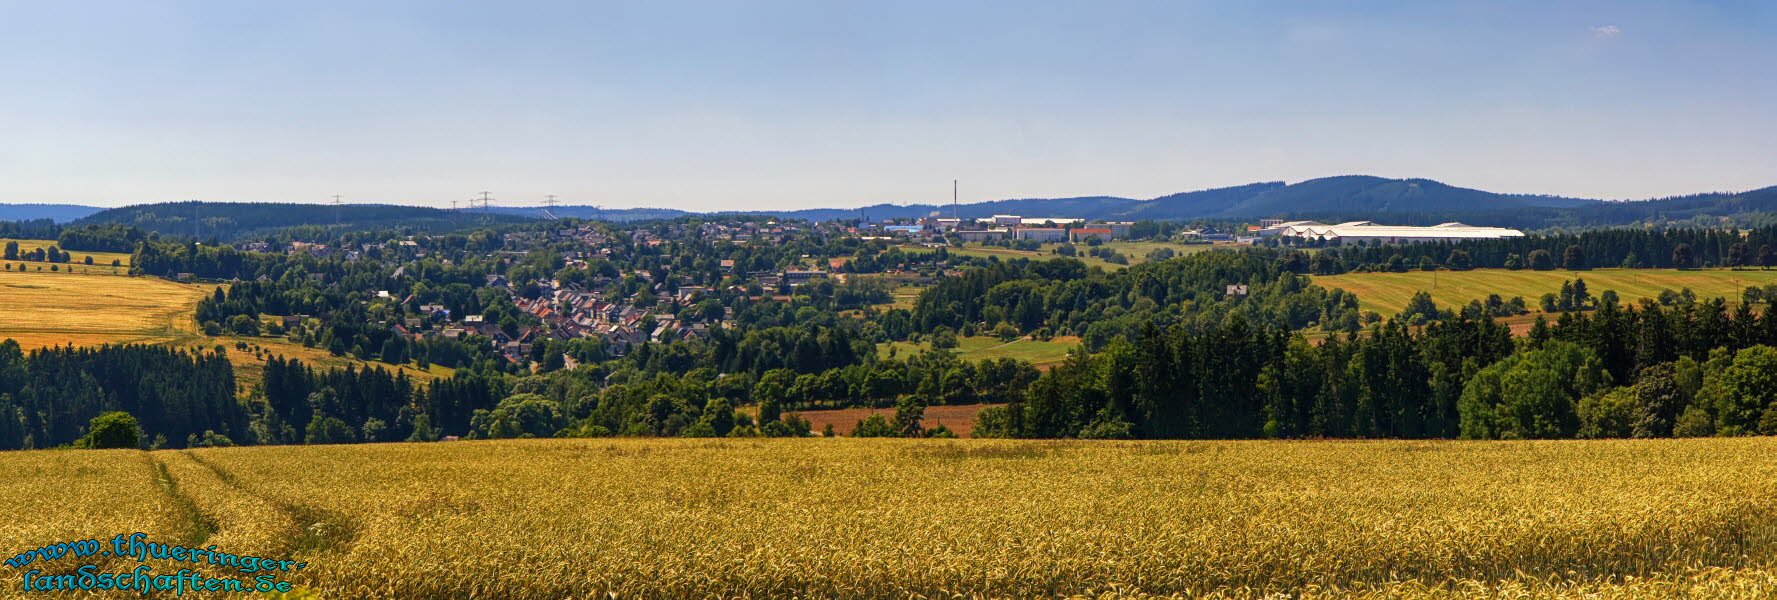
(845,517)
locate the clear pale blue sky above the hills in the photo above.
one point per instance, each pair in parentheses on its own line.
(712,106)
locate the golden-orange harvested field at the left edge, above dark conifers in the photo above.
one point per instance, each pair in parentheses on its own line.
(51,310)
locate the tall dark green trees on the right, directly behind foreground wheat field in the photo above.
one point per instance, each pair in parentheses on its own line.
(1614,372)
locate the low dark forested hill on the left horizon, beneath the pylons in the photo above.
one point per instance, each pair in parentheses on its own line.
(234,221)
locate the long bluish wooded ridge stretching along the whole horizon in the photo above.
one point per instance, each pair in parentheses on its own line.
(1341,198)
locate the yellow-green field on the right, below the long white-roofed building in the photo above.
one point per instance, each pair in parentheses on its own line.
(1389,294)
